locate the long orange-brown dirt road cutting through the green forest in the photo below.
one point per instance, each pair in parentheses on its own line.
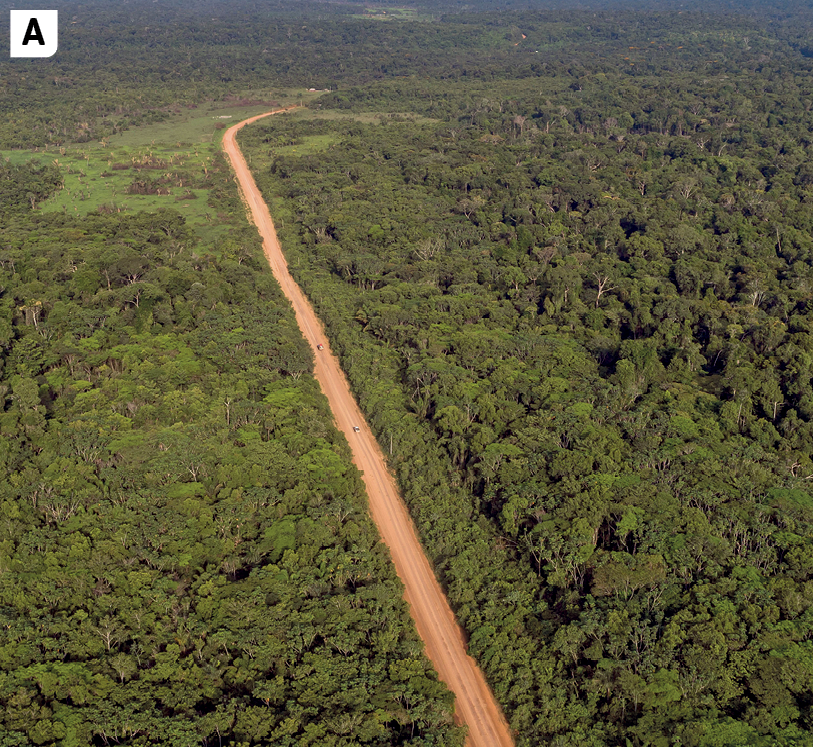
(475,704)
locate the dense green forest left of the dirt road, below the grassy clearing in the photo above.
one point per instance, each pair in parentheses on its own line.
(185,554)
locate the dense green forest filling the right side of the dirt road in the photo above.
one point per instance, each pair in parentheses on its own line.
(585,301)
